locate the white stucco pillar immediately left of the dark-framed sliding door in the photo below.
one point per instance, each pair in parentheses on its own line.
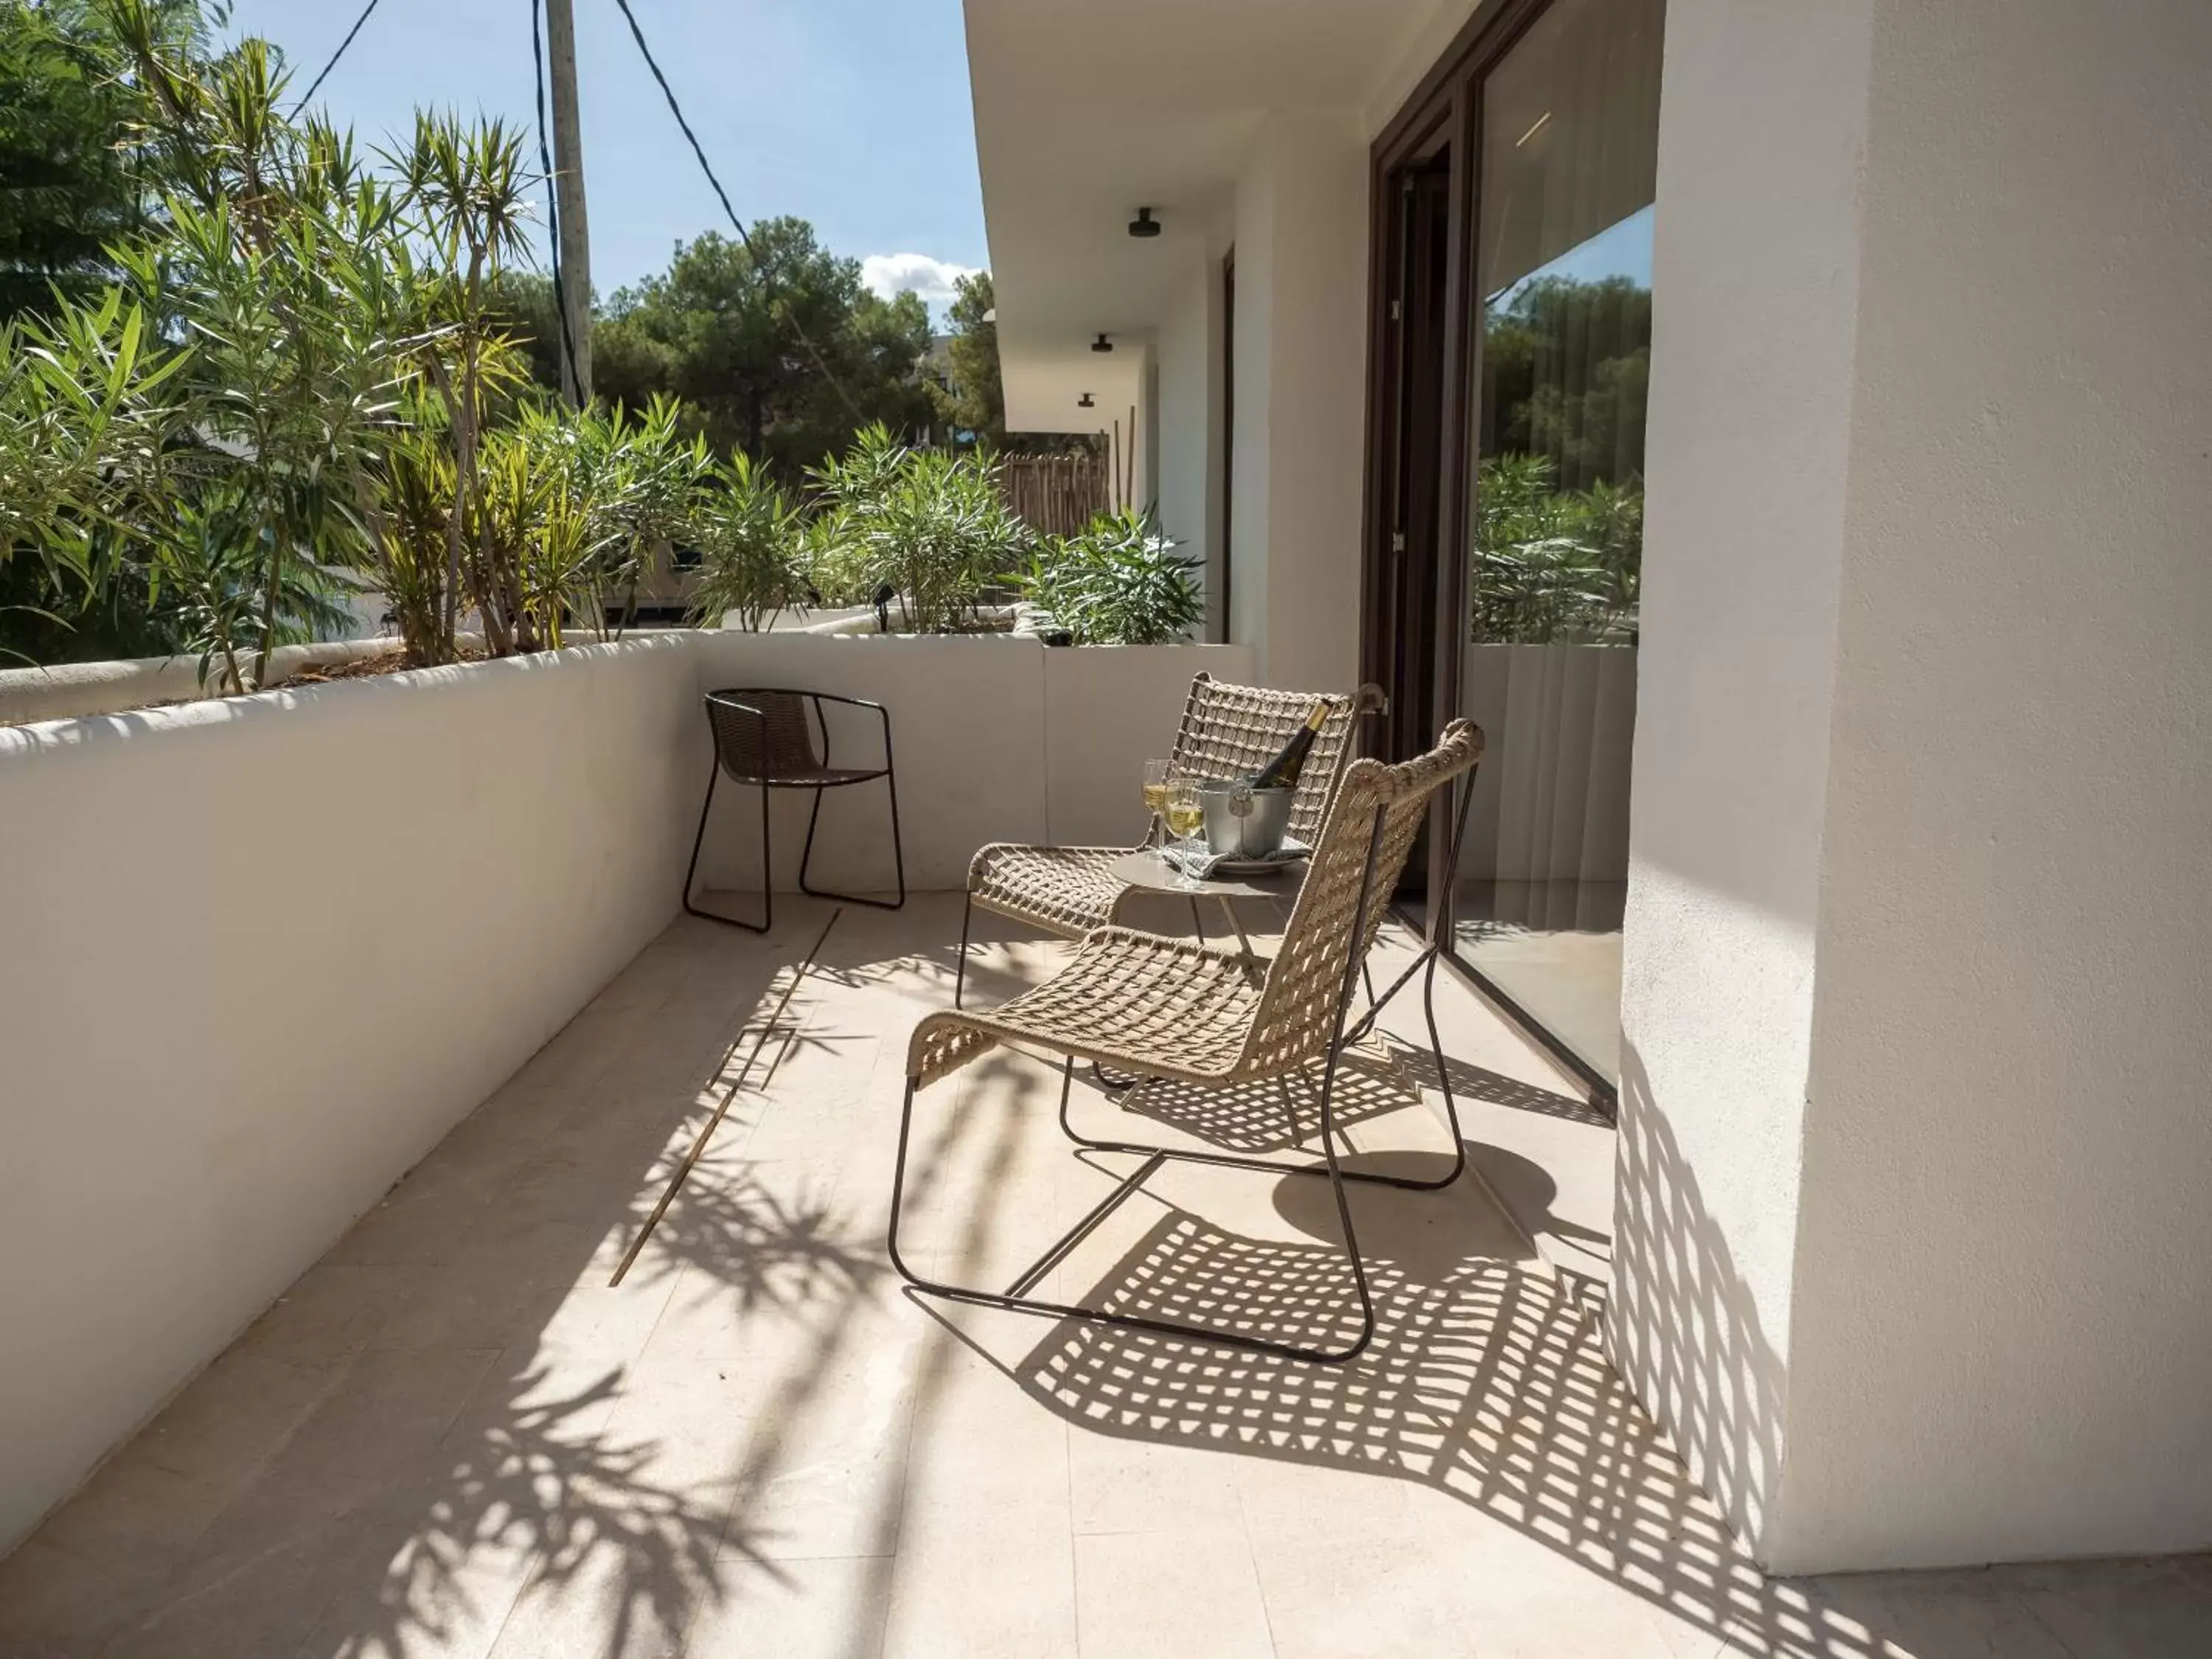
(1302,362)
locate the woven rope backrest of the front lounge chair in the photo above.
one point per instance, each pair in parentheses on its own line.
(1373,826)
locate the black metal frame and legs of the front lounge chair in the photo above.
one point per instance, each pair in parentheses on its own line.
(1016,1300)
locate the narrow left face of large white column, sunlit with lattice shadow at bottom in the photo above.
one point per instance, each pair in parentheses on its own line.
(1753,342)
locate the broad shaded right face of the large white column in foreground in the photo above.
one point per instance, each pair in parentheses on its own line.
(2005,1344)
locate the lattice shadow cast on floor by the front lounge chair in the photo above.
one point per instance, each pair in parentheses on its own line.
(1485,1381)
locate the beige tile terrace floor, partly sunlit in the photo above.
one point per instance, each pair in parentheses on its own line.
(455,1437)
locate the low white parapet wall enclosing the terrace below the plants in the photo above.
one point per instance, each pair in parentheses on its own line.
(258,957)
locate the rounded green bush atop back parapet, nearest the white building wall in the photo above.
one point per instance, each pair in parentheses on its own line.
(1120,583)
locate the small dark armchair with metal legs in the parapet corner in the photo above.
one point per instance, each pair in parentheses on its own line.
(762,738)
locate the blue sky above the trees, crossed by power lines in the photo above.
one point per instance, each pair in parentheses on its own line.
(851,114)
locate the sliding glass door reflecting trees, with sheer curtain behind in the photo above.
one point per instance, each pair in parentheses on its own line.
(1556,112)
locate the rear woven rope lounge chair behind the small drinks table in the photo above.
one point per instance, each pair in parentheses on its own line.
(1227,733)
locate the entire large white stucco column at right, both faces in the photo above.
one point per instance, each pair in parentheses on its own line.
(1914,1131)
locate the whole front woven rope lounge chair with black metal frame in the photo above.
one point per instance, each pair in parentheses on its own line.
(1196,1014)
